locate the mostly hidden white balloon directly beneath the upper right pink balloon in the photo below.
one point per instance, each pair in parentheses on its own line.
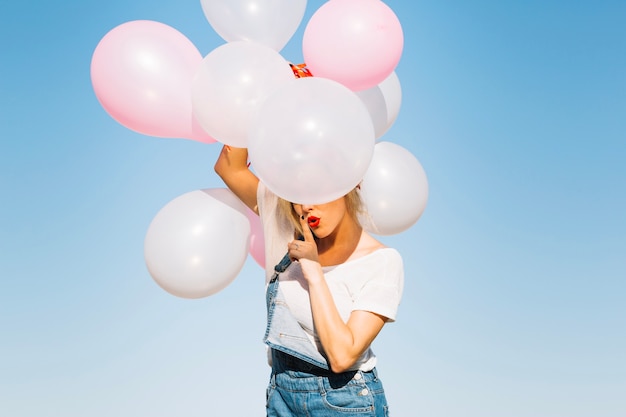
(383,102)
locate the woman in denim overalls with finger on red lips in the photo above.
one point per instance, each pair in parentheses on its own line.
(333,288)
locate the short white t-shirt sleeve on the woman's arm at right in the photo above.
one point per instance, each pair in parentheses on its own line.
(381,292)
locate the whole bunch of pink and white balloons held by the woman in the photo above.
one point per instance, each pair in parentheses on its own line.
(310,138)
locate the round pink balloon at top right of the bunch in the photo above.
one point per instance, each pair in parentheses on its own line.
(355,42)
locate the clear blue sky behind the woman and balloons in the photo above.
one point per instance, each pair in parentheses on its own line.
(515,293)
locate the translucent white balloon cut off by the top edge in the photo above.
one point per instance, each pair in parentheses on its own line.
(270,22)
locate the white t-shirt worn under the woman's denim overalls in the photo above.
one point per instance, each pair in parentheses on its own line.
(372,283)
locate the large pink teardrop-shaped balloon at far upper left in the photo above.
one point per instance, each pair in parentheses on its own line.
(141,72)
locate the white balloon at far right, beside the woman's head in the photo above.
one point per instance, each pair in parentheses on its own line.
(394,190)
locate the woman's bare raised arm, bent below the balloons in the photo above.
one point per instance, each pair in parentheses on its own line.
(232,167)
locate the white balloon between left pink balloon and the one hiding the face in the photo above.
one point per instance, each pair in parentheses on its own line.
(230,82)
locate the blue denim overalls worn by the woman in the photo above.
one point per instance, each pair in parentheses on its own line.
(301,383)
